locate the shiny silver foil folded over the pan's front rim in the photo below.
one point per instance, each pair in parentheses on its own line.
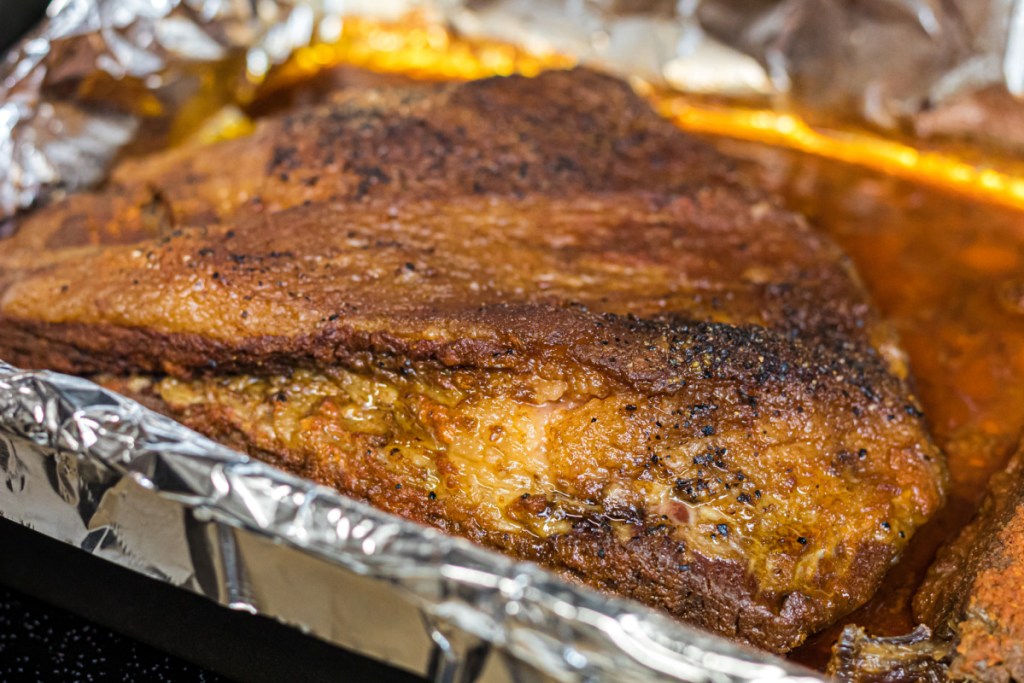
(99,472)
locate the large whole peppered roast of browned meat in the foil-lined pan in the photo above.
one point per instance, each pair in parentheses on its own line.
(529,313)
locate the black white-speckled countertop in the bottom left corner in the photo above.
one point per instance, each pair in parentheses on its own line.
(39,643)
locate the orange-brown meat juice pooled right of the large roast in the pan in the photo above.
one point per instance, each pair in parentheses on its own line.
(948,272)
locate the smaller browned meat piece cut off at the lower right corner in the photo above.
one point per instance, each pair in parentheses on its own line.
(969,606)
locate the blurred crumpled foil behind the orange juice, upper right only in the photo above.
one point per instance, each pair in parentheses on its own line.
(933,68)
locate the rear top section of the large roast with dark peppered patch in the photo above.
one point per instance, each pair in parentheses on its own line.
(563,134)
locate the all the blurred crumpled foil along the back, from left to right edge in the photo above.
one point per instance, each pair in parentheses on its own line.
(101,75)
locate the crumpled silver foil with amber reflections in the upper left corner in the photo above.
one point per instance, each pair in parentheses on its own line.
(101,74)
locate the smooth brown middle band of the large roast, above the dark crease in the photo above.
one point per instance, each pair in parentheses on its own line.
(293,287)
